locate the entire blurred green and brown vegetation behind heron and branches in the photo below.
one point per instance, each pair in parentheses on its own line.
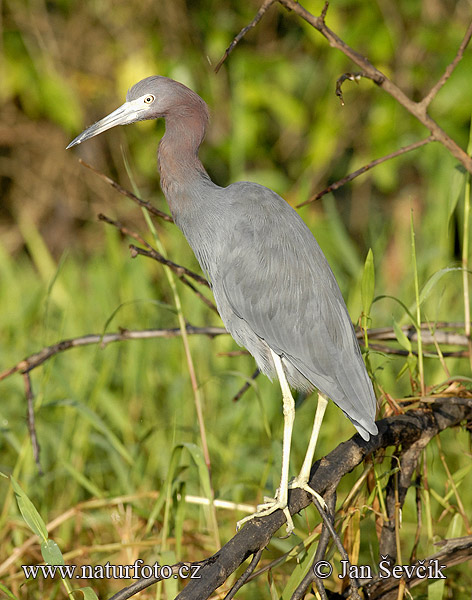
(108,420)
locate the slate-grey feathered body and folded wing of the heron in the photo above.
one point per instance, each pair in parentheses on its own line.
(274,289)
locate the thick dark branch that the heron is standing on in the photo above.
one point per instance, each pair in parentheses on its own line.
(406,429)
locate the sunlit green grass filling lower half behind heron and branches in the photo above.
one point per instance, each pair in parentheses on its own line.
(109,420)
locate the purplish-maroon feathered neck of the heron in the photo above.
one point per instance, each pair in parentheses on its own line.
(179,166)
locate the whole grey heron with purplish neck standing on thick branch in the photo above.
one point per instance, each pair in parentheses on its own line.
(274,289)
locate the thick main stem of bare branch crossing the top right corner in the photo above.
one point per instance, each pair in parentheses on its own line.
(417,109)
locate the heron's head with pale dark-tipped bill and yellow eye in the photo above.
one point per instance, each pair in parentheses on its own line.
(150,98)
